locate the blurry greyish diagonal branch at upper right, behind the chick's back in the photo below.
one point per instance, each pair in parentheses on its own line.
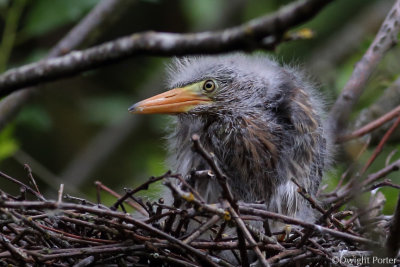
(384,40)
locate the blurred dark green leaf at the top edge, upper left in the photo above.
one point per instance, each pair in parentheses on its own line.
(47,15)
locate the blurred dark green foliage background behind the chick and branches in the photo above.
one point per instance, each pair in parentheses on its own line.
(78,130)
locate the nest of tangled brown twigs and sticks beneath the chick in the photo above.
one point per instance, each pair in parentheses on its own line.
(71,231)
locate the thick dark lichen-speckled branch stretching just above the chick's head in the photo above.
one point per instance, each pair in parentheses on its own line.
(248,36)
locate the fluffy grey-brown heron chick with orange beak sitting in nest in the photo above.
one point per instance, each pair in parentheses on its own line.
(262,121)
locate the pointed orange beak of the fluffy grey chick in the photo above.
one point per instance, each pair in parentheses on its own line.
(174,101)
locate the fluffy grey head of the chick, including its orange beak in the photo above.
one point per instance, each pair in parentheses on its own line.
(217,85)
